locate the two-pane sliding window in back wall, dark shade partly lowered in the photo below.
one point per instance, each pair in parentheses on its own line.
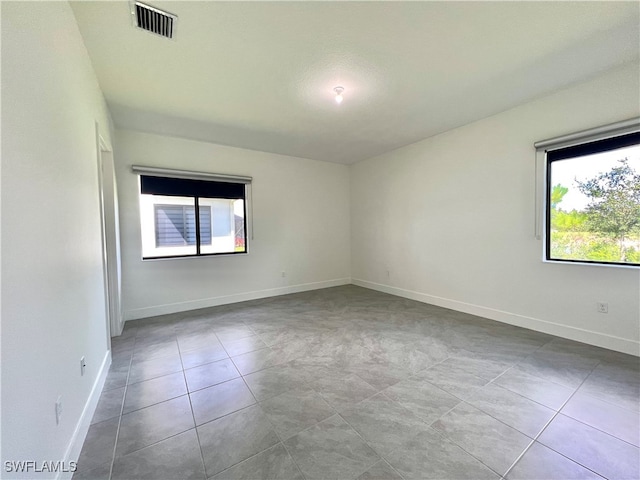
(182,217)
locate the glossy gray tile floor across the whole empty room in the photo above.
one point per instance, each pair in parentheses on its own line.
(348,383)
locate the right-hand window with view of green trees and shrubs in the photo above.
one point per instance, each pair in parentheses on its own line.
(593,201)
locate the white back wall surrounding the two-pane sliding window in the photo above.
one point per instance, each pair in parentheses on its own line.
(300,219)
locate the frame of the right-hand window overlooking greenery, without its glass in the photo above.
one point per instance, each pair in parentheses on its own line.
(581,143)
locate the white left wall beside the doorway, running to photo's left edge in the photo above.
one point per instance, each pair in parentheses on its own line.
(53,308)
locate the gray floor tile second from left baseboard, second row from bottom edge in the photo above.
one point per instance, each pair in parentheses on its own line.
(152,424)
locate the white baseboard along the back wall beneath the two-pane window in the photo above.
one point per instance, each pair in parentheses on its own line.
(227,299)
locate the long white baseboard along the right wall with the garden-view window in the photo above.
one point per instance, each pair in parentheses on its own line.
(572,333)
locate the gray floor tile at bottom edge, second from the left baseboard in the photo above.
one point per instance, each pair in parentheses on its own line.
(176,457)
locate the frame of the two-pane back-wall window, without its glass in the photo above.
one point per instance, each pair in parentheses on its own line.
(200,176)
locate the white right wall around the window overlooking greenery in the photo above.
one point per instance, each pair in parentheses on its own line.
(452,220)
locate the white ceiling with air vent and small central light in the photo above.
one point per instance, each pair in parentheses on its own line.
(260,75)
